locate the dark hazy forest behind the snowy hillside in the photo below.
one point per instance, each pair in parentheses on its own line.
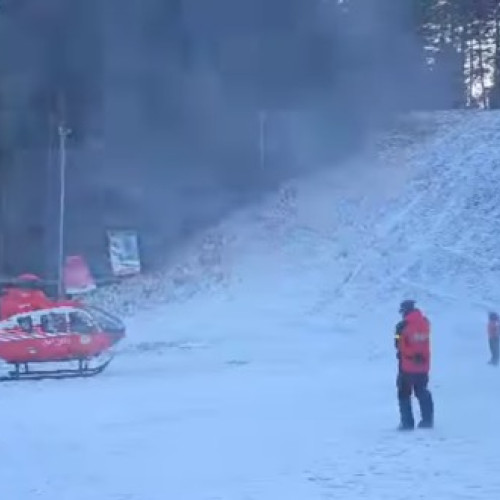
(166,101)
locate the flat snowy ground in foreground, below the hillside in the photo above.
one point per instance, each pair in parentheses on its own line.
(310,415)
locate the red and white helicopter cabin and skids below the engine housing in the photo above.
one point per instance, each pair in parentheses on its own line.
(74,336)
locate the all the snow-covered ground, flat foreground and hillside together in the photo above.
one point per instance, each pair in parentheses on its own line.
(275,378)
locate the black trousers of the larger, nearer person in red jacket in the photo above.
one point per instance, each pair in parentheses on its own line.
(414,383)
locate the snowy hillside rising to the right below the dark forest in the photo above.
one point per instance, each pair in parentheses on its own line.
(413,214)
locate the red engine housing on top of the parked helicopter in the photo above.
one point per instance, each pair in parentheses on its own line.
(25,296)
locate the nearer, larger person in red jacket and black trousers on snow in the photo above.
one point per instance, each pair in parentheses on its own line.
(412,342)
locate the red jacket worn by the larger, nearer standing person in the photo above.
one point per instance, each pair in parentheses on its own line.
(414,343)
